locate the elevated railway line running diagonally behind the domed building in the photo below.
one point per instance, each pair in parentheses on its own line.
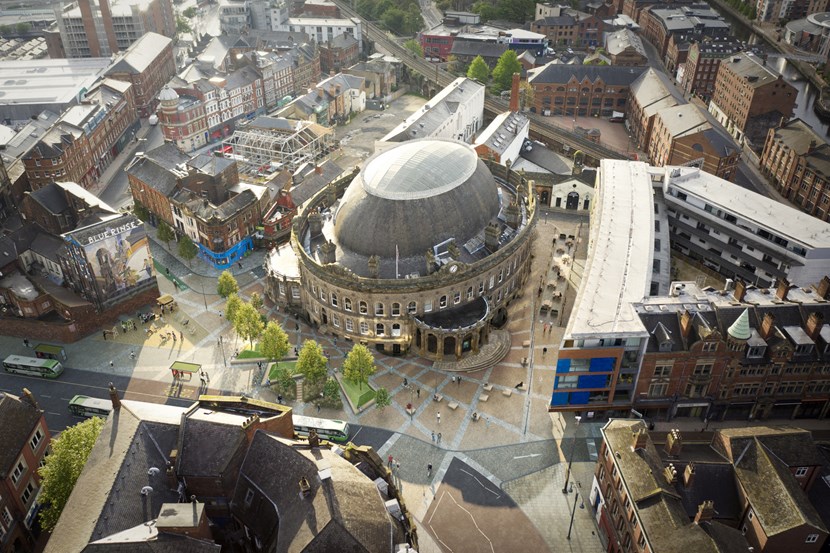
(551,135)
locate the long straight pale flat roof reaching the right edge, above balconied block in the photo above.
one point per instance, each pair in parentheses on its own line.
(780,219)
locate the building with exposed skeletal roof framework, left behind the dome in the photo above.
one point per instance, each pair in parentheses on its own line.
(269,144)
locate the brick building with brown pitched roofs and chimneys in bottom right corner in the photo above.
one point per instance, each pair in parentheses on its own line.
(746,490)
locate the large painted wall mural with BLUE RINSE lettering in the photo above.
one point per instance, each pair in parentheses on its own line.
(118,253)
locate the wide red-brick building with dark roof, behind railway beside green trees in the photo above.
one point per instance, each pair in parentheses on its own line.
(581,89)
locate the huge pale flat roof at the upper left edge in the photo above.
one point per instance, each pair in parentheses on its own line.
(48,81)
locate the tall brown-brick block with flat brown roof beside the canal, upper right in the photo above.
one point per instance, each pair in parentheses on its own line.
(749,98)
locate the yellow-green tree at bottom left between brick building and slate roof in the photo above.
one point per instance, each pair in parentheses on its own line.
(63,466)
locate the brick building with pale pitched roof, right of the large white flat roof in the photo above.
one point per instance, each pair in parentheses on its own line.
(147,64)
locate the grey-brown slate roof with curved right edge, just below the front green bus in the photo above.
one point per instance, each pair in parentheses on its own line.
(344,512)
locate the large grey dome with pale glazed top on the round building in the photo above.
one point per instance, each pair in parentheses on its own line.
(414,196)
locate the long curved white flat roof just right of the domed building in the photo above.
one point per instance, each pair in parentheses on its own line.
(618,270)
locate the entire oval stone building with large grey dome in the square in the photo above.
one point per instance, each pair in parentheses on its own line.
(421,249)
